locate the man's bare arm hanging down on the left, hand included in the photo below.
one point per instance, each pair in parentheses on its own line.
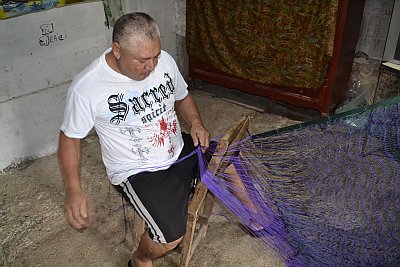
(76,204)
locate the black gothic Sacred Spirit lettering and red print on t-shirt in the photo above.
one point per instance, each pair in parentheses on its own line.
(146,115)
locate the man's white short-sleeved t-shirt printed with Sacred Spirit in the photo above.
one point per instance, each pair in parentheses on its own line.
(135,120)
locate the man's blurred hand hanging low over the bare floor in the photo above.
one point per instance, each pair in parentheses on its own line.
(77,210)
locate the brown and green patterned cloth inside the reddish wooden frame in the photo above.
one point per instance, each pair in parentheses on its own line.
(275,42)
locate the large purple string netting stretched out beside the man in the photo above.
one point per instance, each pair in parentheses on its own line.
(323,193)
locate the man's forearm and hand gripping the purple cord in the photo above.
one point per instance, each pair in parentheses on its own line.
(190,114)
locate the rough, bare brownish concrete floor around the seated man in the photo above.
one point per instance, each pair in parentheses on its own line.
(34,232)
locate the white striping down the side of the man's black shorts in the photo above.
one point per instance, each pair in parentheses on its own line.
(140,208)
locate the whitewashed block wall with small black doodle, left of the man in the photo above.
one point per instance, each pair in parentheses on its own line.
(40,53)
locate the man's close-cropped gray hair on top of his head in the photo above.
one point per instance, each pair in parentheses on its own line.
(138,25)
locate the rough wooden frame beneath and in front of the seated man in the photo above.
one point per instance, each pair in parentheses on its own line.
(202,202)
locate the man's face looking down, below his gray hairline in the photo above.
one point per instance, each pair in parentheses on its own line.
(137,59)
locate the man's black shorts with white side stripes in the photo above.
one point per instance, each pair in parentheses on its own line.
(161,197)
